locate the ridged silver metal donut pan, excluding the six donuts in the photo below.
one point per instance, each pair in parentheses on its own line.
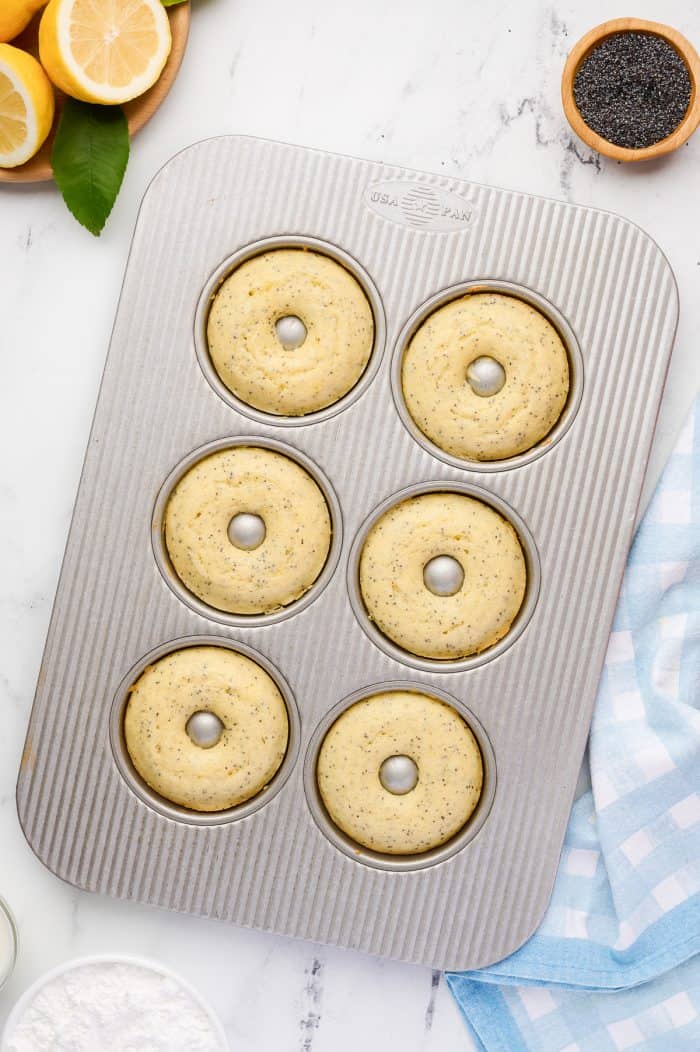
(414,241)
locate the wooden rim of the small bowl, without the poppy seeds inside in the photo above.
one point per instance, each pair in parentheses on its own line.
(595,37)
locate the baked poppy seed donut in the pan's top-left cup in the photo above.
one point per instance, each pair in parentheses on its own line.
(290,332)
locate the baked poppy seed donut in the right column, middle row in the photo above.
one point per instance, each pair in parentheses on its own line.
(403,567)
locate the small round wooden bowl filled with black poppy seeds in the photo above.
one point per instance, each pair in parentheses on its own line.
(631,90)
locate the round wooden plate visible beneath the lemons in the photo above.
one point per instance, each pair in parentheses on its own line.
(138,112)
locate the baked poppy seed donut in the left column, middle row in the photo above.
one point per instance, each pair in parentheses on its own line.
(248,531)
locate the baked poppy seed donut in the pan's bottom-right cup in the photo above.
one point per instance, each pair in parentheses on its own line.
(363,767)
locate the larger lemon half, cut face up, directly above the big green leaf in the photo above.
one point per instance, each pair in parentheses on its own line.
(105,51)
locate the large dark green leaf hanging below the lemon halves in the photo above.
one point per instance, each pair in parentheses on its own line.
(90,157)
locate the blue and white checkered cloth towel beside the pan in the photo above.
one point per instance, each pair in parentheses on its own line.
(612,967)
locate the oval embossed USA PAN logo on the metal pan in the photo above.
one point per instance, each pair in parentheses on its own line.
(419,206)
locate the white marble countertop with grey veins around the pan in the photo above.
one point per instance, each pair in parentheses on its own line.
(456,87)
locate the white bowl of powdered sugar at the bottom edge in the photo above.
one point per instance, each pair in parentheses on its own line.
(112,1004)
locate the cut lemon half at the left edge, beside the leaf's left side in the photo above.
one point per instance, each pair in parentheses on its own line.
(27,107)
